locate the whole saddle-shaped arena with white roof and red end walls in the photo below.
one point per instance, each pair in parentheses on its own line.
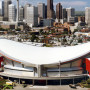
(25,61)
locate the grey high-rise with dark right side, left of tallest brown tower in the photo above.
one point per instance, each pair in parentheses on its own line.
(41,10)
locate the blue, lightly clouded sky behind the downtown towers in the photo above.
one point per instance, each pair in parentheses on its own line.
(79,5)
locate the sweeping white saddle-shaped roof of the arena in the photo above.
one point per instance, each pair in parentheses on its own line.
(41,55)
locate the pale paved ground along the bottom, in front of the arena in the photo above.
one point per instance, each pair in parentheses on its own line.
(48,88)
